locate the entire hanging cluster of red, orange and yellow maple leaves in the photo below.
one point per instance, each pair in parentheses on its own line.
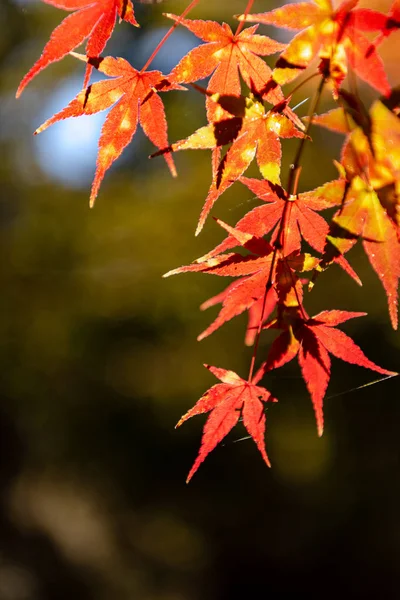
(278,248)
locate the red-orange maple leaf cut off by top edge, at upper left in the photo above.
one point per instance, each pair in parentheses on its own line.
(93,19)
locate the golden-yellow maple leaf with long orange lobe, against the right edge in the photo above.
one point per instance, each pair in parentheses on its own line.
(371,160)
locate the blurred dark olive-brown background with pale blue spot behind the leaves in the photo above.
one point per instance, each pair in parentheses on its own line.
(99,359)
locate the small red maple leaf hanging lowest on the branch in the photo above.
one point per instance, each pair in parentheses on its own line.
(227,401)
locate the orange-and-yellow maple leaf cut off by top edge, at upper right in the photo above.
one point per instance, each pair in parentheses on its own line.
(336,36)
